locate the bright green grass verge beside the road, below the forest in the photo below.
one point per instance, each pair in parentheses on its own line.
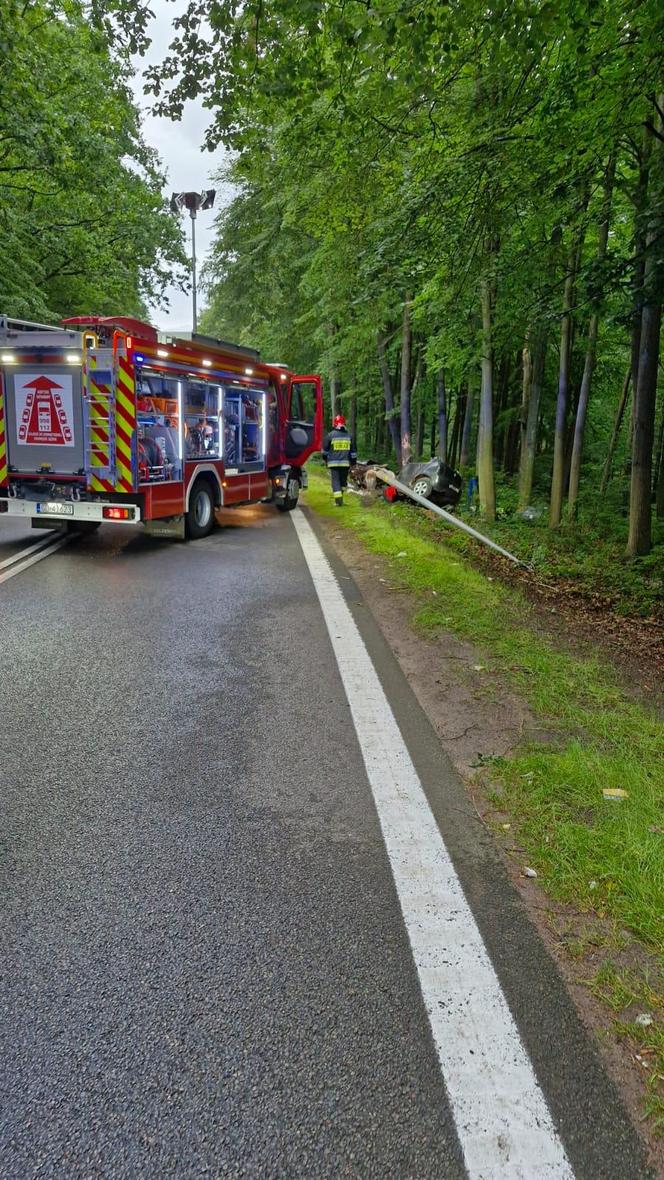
(602,857)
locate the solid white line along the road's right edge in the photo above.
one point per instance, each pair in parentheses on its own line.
(502,1117)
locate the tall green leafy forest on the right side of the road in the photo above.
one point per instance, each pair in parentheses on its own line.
(455,213)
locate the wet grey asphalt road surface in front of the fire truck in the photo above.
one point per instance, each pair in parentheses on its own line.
(205,968)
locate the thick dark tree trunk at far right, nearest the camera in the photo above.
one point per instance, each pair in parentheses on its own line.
(646,394)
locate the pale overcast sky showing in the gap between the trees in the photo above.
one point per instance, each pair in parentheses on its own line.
(187,167)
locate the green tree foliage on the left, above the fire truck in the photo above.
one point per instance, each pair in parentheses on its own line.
(82,212)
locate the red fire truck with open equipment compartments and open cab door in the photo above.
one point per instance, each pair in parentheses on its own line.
(104,419)
